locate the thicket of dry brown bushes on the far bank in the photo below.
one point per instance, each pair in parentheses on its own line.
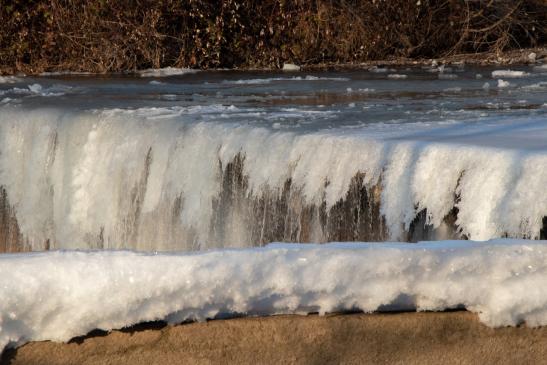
(117,35)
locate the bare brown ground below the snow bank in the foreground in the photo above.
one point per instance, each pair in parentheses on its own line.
(409,338)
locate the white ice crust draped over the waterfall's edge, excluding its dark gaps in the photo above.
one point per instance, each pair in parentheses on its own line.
(71,174)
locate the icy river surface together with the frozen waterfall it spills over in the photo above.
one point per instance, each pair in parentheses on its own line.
(235,159)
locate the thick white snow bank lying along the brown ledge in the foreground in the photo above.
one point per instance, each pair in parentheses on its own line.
(59,295)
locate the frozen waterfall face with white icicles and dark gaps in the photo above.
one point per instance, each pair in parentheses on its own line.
(158,179)
